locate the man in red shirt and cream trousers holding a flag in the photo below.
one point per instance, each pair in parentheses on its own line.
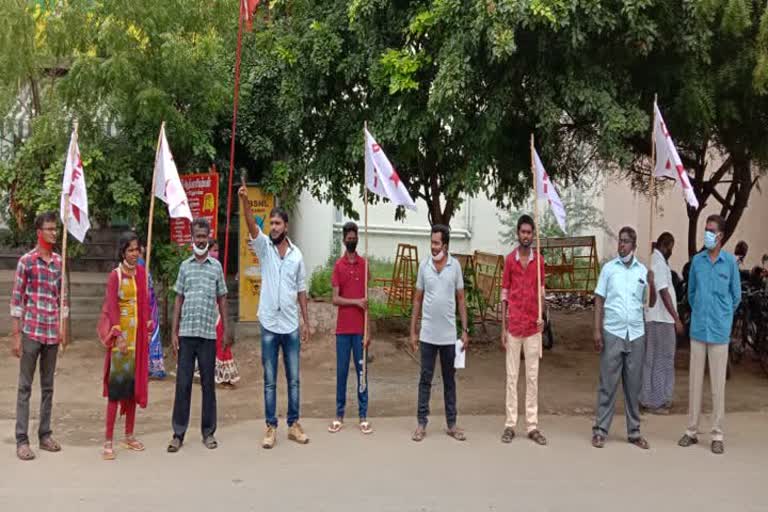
(521,329)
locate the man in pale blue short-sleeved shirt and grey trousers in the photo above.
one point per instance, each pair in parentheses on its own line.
(621,289)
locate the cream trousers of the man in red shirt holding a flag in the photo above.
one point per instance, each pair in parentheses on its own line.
(531,347)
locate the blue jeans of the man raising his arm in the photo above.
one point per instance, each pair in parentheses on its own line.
(270,347)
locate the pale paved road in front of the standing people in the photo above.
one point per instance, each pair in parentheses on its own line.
(388,472)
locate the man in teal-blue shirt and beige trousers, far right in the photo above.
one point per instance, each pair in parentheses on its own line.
(714,293)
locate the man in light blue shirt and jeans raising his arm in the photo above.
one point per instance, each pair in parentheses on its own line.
(283,295)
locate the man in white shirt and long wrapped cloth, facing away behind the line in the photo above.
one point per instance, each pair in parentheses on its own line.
(662,326)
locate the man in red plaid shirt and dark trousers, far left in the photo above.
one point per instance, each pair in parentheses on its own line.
(36,334)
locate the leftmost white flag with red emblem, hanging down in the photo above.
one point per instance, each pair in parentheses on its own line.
(77,221)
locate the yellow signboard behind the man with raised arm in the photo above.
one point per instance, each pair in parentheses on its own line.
(249,265)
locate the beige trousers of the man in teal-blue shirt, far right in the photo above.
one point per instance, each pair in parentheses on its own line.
(717,353)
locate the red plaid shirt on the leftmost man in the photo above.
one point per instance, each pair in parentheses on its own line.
(35,297)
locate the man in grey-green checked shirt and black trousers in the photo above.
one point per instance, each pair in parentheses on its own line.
(201,296)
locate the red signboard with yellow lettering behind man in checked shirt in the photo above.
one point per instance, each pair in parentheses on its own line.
(203,198)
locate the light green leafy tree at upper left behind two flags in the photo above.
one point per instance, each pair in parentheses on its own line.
(120,69)
